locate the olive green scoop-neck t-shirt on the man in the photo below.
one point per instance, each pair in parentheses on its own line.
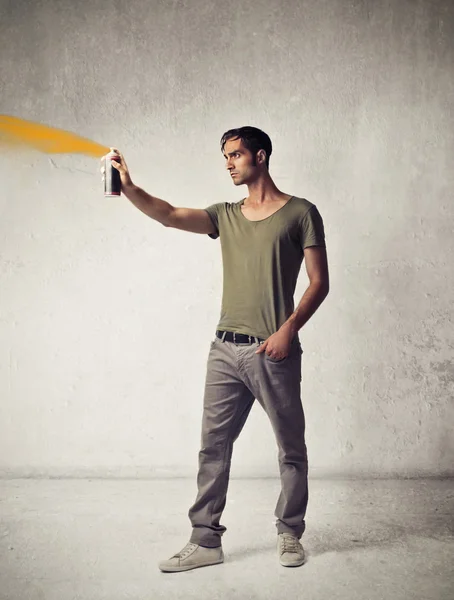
(261,263)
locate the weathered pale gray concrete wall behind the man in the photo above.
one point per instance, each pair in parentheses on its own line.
(106,316)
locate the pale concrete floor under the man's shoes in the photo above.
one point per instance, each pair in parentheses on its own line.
(93,539)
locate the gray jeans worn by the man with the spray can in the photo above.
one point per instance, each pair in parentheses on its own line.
(235,377)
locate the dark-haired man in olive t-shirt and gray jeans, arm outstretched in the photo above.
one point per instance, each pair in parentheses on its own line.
(256,353)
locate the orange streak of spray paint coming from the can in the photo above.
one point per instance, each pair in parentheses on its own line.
(19,132)
